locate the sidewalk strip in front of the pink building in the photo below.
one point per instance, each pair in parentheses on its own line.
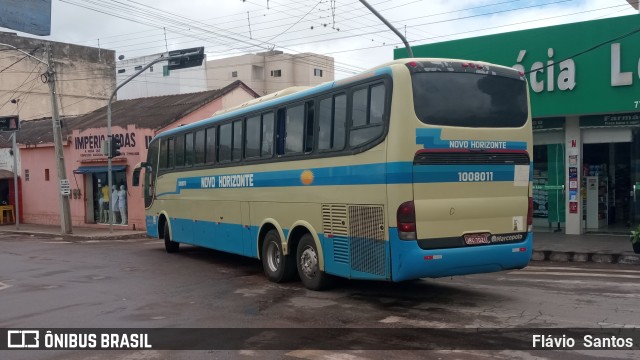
(79,233)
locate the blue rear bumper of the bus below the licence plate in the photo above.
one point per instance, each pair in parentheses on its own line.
(409,261)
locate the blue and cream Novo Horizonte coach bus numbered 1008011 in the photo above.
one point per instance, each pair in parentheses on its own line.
(417,168)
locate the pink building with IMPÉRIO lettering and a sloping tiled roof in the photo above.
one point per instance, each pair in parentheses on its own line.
(135,122)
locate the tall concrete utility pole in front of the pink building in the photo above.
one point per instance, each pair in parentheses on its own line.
(65,209)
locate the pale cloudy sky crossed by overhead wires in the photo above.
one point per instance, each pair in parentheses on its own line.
(343,29)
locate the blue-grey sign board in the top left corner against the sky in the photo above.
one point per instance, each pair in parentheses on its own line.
(30,16)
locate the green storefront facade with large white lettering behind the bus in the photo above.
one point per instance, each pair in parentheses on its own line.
(584,83)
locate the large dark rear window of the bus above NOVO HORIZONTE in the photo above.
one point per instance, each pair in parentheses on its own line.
(469,99)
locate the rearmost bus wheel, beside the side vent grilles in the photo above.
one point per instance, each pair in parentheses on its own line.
(309,265)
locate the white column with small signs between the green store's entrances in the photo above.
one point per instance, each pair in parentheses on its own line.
(573,148)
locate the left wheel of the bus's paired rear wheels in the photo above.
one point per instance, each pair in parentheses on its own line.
(277,266)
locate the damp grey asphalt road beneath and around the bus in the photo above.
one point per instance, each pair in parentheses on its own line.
(51,283)
